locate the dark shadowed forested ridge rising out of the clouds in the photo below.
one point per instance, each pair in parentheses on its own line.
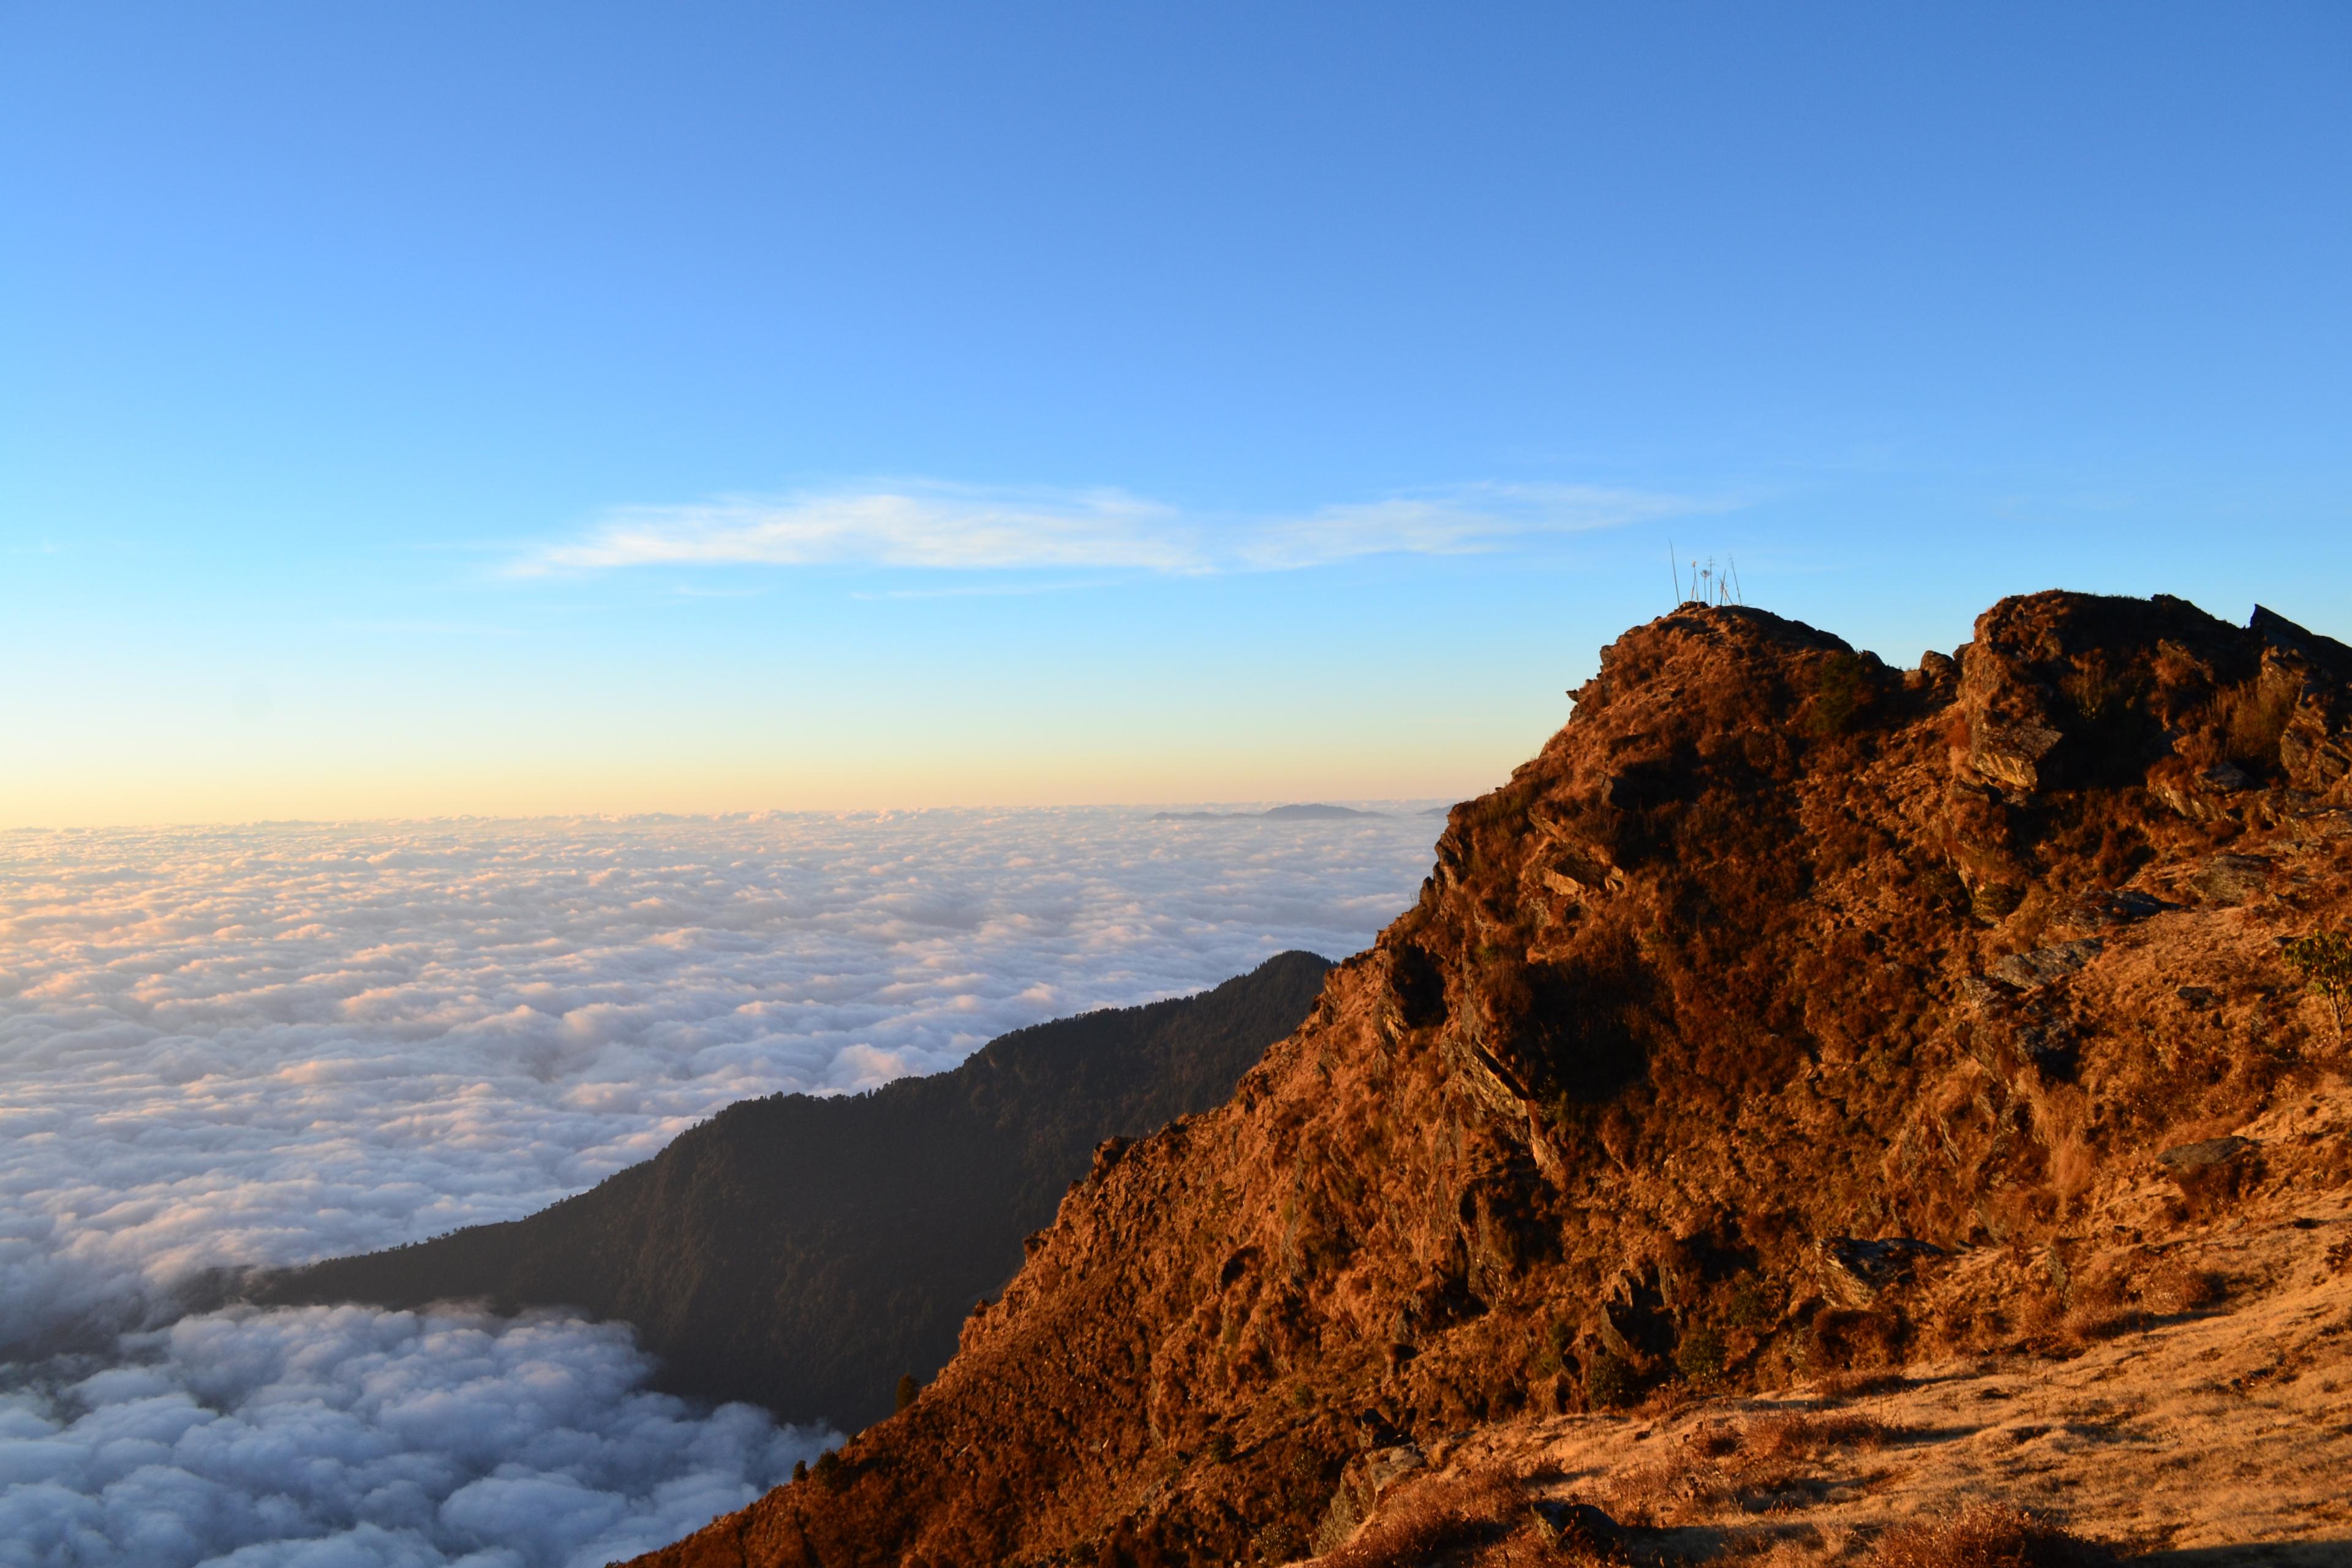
(808,1252)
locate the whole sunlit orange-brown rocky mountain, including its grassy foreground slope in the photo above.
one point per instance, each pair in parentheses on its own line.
(1798,1113)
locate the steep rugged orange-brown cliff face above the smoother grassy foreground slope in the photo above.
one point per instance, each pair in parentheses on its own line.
(1779,991)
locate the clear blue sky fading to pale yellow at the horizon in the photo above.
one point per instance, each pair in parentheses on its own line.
(714,408)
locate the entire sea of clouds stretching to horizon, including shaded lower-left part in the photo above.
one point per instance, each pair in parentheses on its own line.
(283,1043)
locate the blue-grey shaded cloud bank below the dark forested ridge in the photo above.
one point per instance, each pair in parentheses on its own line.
(368,1438)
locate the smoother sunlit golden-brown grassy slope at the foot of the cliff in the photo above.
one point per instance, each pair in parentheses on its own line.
(2203,1438)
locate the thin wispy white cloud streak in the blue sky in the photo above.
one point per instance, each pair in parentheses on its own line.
(977,530)
